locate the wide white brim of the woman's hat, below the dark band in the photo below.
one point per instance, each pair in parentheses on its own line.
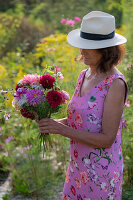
(75,40)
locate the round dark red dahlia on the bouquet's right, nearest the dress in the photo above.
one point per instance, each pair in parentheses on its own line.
(54,98)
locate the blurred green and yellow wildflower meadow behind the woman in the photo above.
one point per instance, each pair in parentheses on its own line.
(32,36)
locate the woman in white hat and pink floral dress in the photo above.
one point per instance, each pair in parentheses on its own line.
(94,114)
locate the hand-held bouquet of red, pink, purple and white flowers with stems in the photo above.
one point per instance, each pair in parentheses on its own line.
(39,95)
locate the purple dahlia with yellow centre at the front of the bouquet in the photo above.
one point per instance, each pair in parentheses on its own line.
(35,96)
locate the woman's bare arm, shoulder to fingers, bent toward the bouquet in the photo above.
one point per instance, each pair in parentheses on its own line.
(113,109)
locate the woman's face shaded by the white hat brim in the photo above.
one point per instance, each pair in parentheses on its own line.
(90,56)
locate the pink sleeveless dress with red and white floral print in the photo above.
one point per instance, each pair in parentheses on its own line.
(93,173)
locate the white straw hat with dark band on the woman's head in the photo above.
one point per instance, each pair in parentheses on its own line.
(97,31)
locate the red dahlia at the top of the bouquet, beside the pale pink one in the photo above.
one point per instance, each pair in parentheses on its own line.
(46,81)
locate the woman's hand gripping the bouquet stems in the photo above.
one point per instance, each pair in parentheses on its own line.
(47,125)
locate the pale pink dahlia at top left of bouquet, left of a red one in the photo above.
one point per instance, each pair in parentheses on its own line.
(30,78)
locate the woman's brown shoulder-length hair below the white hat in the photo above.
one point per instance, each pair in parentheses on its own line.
(111,56)
